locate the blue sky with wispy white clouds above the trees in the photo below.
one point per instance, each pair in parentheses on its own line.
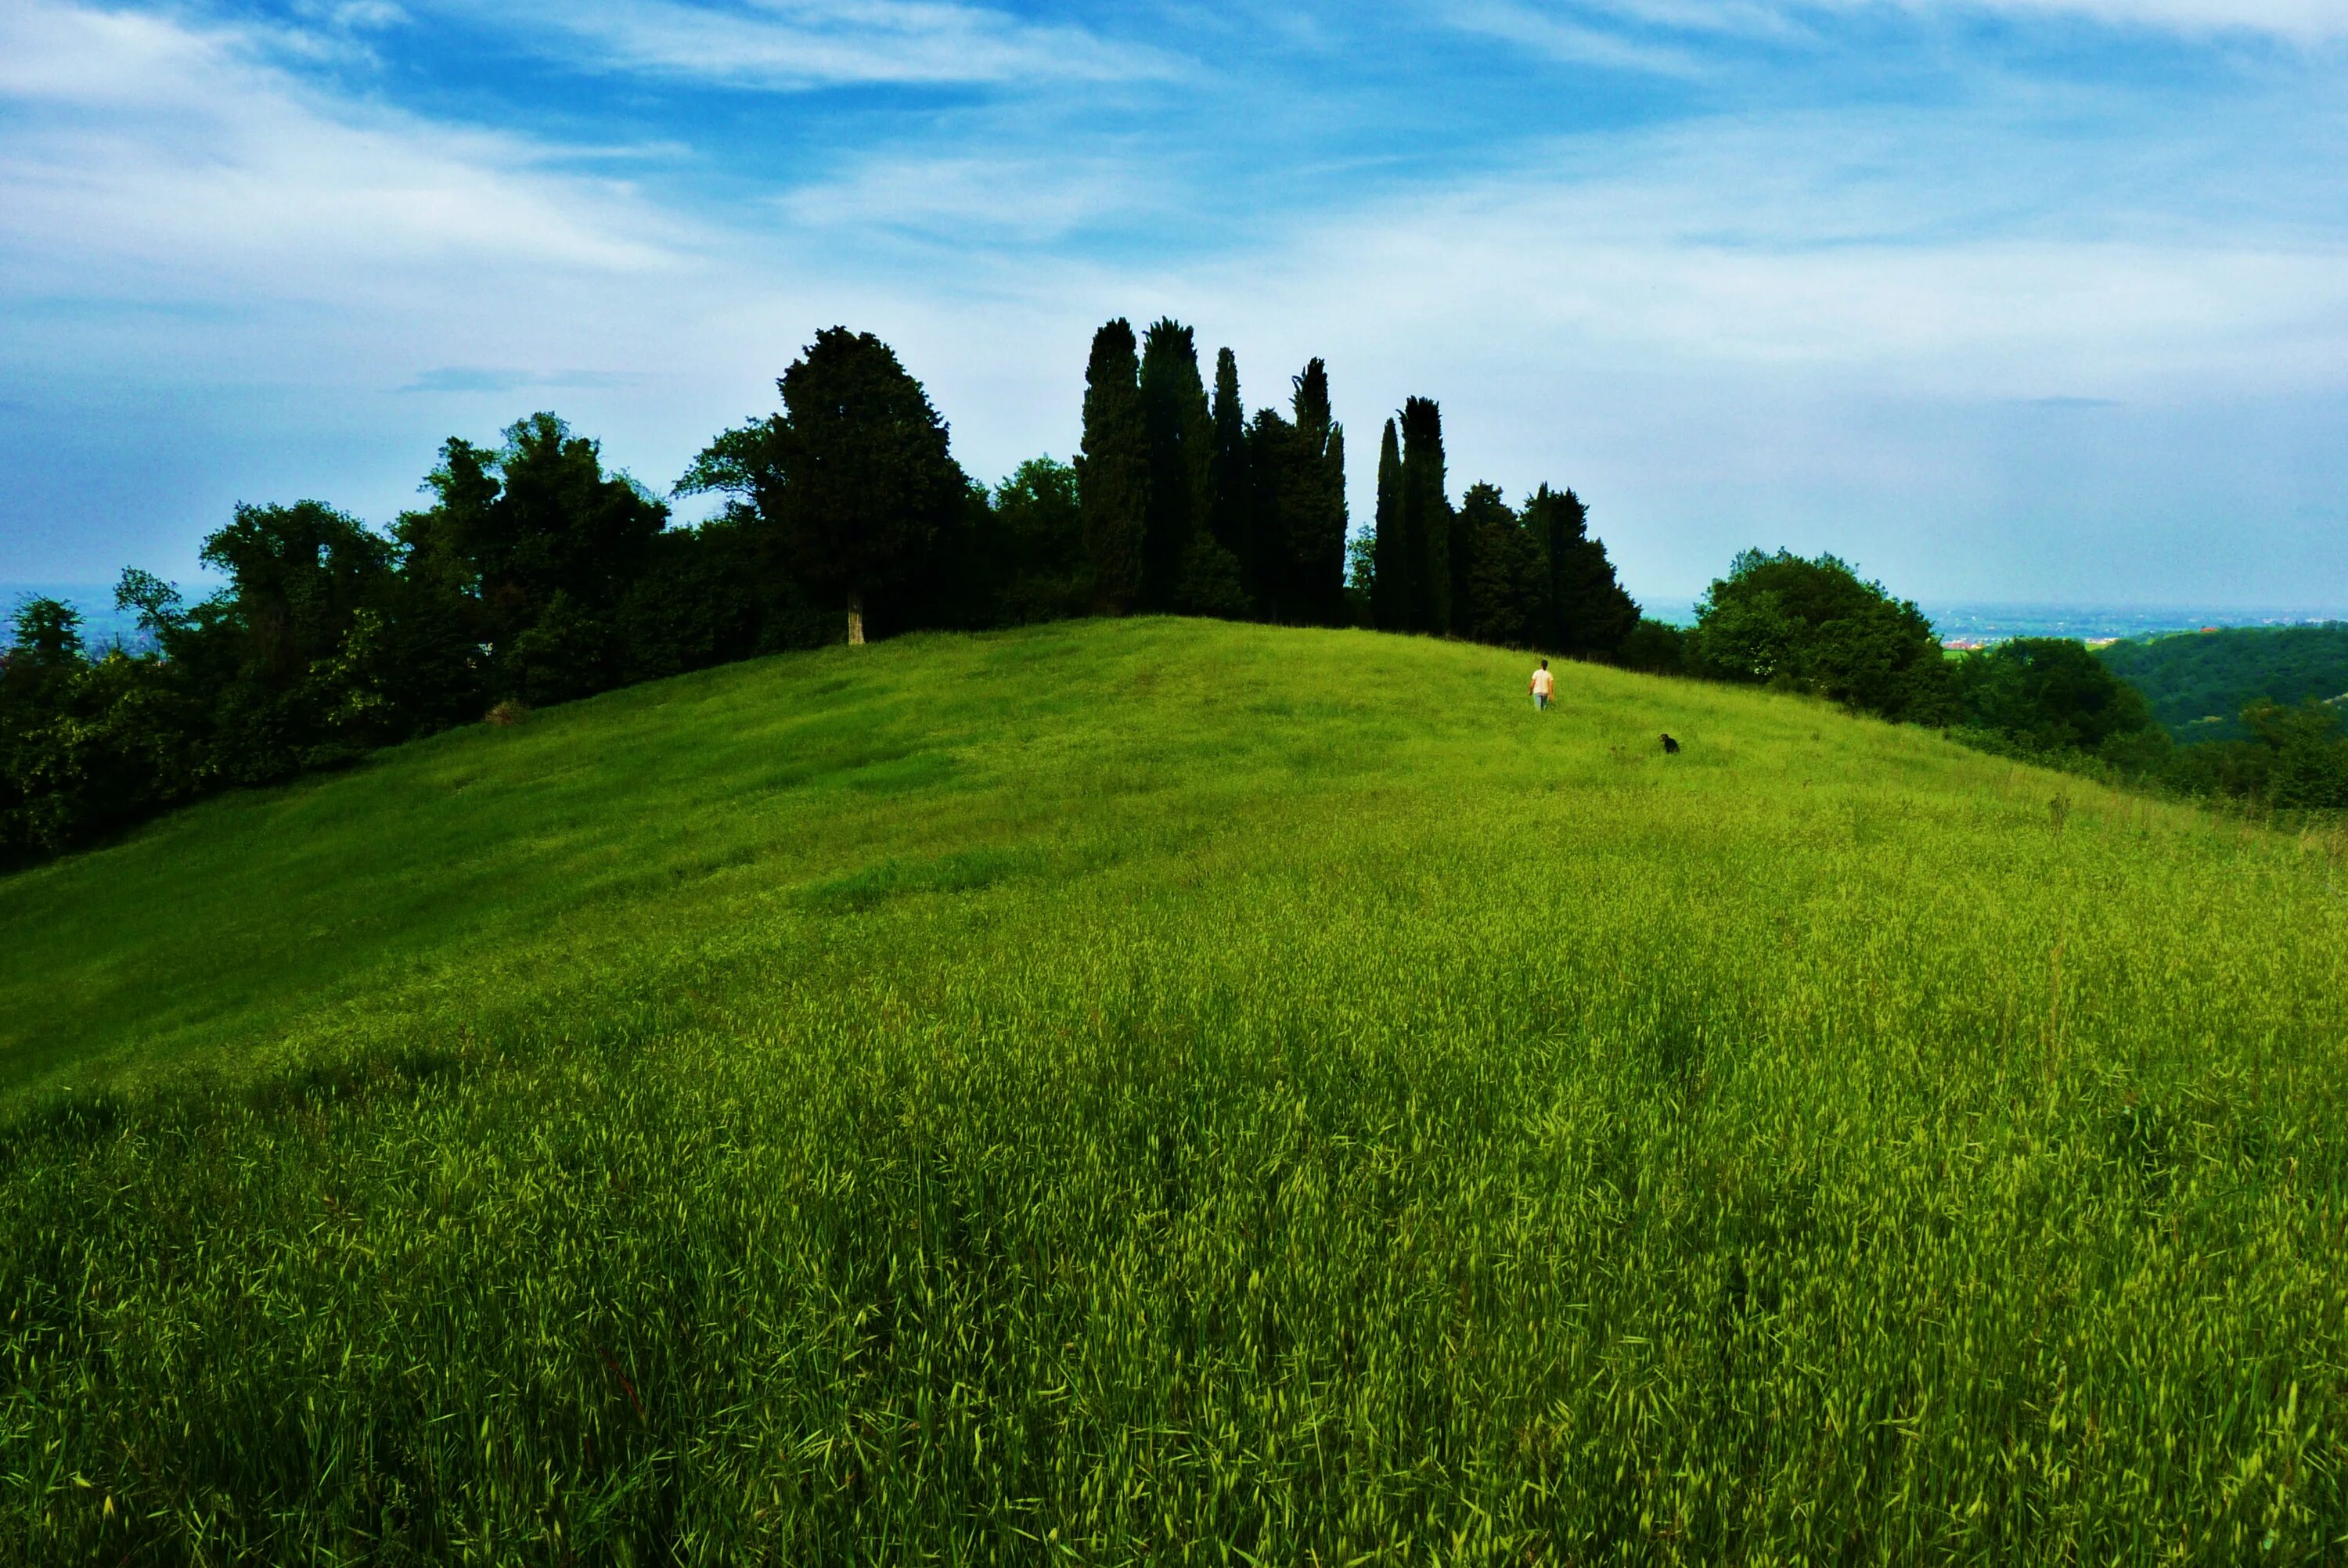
(1997,299)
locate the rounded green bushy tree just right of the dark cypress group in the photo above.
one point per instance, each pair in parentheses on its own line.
(1816,626)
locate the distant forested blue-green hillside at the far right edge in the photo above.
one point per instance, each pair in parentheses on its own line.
(2201,682)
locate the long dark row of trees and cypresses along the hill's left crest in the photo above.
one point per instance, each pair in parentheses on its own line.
(534,574)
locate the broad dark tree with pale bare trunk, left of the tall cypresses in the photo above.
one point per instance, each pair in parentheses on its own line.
(853,480)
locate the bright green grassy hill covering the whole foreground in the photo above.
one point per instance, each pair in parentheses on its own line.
(1178,1093)
